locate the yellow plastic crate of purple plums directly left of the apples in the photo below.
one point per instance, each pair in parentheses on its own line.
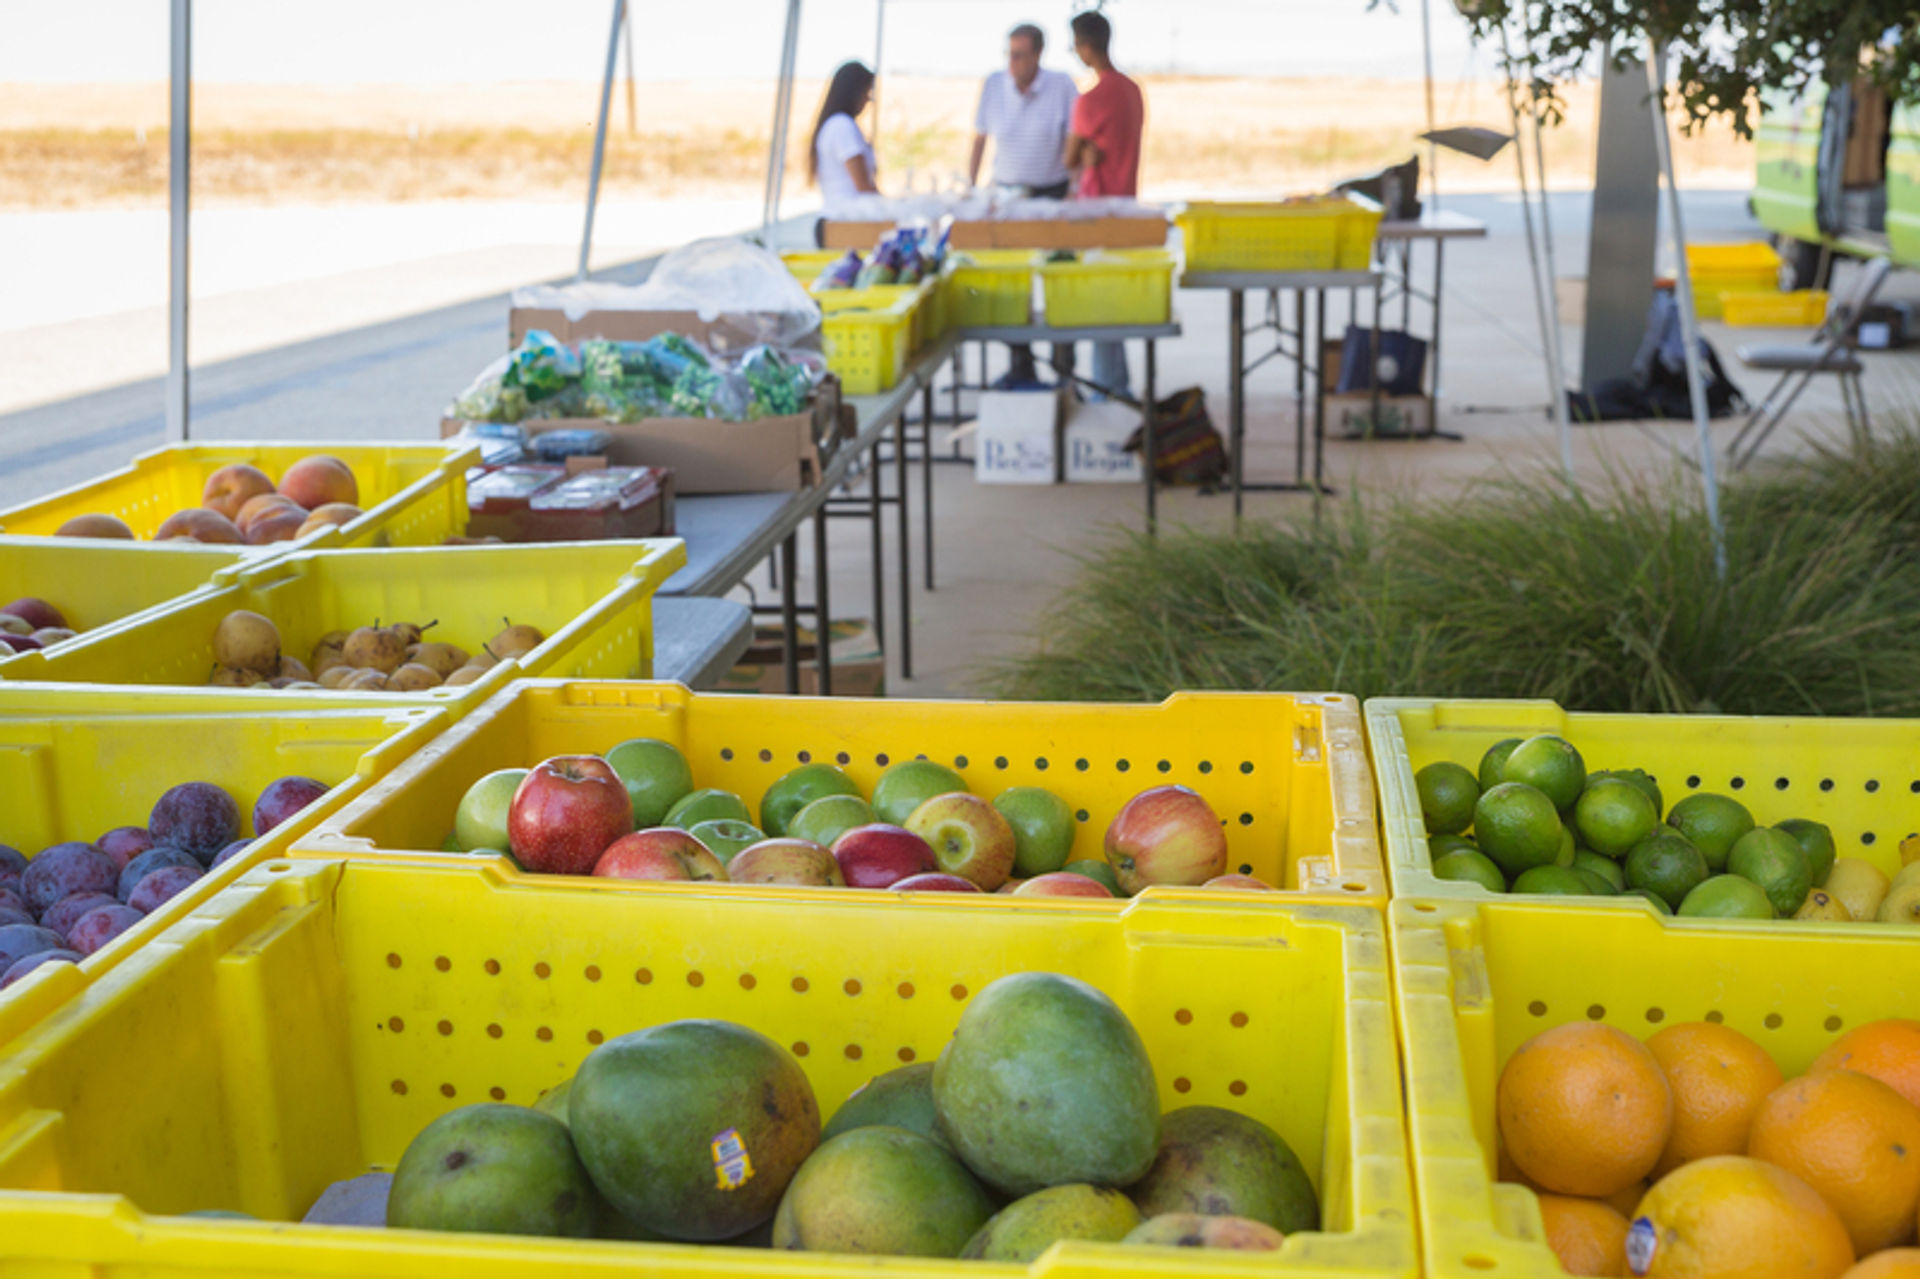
(74,765)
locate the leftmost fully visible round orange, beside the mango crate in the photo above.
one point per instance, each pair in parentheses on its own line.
(1585,1109)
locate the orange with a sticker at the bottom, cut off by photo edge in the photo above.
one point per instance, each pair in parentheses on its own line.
(1737,1219)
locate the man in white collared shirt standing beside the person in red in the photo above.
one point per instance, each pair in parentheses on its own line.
(1026,112)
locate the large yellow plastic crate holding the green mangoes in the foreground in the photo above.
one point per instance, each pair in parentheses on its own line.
(341,1007)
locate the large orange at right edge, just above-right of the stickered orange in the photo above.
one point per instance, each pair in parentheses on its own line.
(1856,1142)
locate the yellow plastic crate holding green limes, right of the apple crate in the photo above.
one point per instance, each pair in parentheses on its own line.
(1860,777)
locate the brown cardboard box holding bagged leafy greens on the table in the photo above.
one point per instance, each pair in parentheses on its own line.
(775,454)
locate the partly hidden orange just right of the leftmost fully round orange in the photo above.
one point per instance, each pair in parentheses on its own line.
(1719,1080)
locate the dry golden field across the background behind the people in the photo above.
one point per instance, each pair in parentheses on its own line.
(101,147)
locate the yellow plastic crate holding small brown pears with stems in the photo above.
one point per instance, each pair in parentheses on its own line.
(592,600)
